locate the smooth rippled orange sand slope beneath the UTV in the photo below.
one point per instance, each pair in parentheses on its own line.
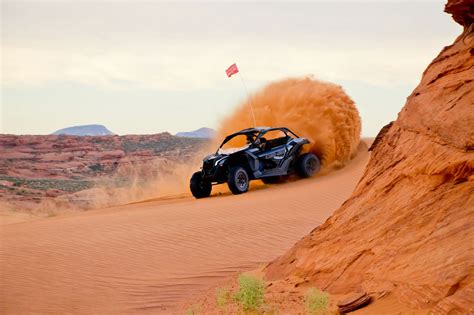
(152,255)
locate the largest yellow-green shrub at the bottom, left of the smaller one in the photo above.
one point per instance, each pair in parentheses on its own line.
(251,294)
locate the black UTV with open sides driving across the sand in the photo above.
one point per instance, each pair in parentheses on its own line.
(254,153)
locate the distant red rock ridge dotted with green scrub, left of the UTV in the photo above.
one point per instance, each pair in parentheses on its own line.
(36,167)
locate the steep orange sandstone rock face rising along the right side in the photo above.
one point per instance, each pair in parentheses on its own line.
(408,226)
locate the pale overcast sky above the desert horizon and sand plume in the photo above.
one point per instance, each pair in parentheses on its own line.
(141,67)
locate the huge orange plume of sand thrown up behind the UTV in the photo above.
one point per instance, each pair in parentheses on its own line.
(319,111)
